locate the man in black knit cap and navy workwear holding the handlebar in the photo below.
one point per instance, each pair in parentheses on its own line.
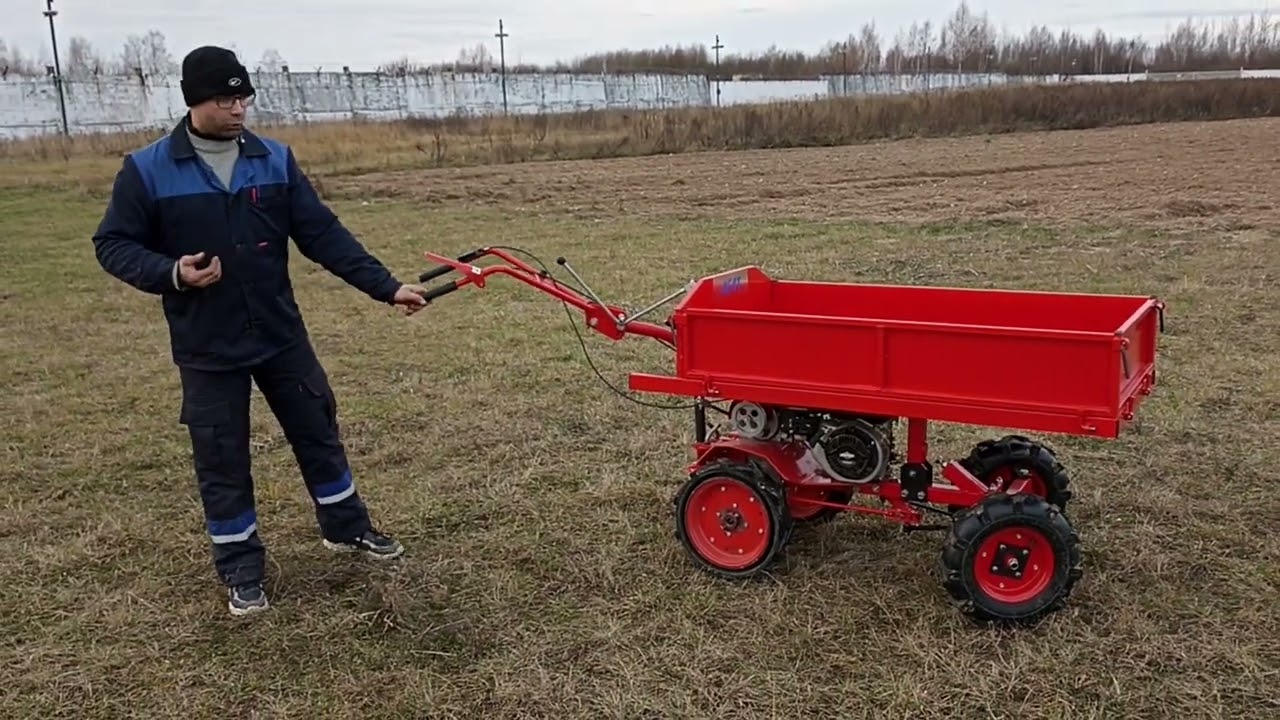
(202,218)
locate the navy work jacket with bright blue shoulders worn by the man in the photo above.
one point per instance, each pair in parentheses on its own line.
(168,203)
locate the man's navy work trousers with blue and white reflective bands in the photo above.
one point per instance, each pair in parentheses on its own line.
(216,408)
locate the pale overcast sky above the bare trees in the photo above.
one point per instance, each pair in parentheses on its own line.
(363,34)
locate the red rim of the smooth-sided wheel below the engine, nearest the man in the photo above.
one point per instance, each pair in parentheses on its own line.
(728,523)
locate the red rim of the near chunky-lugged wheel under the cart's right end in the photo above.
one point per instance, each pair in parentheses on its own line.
(1014,566)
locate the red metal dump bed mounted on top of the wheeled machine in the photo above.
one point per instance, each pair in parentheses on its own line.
(1067,363)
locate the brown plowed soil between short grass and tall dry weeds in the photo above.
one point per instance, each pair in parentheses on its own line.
(1190,176)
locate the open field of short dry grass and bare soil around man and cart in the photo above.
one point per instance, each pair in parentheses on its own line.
(542,577)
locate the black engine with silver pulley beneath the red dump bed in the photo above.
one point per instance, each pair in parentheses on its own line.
(849,448)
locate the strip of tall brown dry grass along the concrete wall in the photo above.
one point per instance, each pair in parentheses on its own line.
(364,148)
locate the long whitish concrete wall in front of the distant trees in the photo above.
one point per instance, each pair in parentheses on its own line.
(31,107)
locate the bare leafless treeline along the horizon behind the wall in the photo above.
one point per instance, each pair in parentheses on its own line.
(964,42)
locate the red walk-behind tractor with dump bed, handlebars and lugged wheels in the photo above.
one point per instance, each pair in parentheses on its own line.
(817,379)
